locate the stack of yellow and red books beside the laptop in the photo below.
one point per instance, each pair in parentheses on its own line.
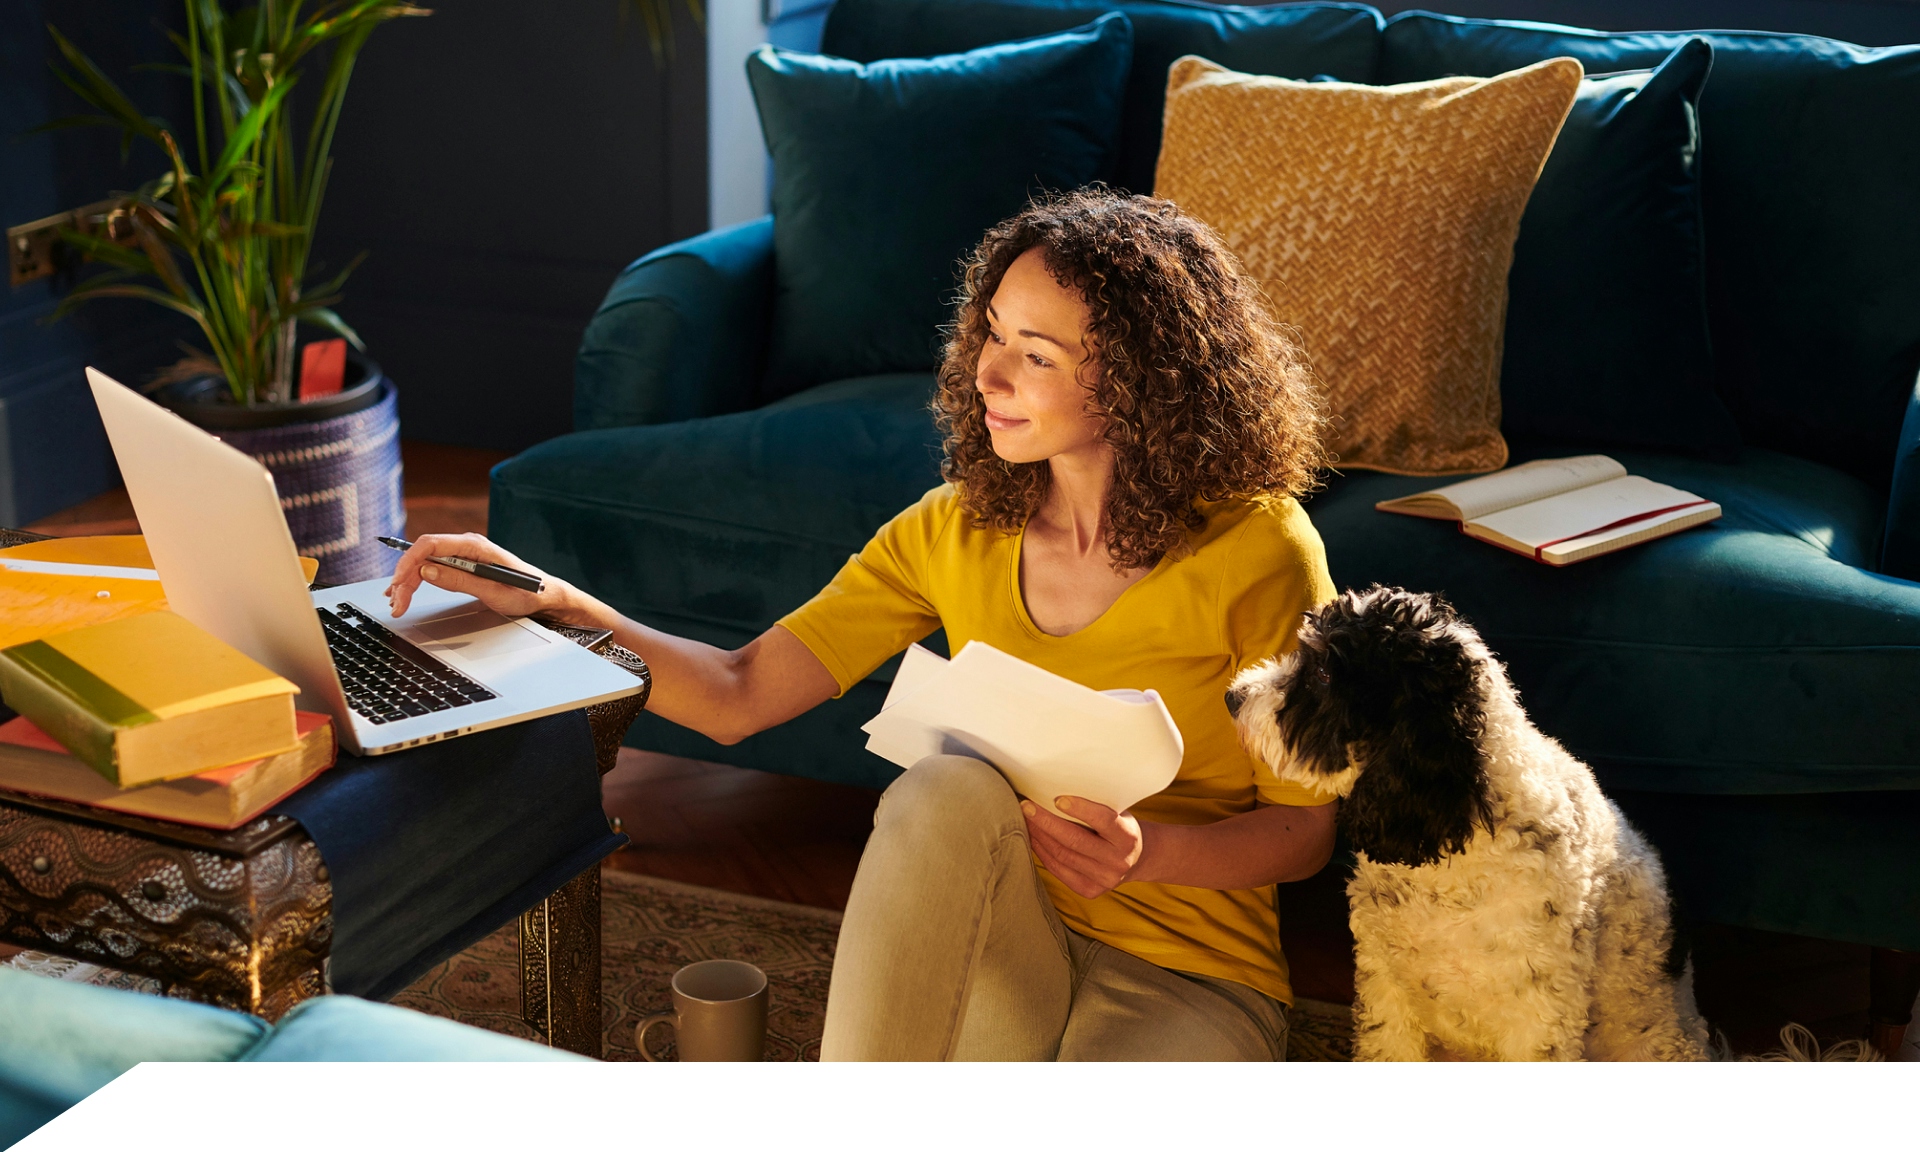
(155,717)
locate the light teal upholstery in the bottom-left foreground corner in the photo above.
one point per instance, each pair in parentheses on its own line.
(64,1042)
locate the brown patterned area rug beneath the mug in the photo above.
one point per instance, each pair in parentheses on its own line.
(652,928)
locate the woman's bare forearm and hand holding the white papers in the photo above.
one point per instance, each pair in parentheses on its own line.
(1274,844)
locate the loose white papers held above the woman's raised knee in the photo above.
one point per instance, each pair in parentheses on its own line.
(1049,736)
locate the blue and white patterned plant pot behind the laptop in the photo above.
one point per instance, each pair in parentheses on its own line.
(335,464)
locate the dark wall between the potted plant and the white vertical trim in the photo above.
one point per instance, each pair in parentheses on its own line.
(504,160)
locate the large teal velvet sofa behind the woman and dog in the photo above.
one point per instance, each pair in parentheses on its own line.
(1750,692)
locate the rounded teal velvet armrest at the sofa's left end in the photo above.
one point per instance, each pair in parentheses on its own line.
(681,335)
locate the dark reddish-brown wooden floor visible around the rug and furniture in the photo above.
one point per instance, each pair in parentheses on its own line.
(800,840)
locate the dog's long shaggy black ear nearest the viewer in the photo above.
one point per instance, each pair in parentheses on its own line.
(1414,688)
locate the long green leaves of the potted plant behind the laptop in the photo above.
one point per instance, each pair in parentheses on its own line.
(226,235)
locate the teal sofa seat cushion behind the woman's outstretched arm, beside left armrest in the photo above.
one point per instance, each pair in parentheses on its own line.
(715,529)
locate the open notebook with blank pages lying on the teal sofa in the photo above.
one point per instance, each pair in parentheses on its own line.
(1562,512)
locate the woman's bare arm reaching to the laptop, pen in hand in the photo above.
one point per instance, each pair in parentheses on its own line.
(723,694)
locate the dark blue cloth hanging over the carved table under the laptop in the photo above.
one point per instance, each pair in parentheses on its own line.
(435,848)
